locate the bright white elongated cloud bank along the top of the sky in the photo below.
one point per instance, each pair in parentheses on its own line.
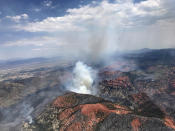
(123,14)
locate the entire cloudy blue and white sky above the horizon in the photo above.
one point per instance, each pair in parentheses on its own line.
(89,28)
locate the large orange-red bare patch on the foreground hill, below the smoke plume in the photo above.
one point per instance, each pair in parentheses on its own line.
(91,114)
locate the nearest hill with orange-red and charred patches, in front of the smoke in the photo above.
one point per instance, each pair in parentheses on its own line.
(77,112)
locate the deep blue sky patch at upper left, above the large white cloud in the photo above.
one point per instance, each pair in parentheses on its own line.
(44,8)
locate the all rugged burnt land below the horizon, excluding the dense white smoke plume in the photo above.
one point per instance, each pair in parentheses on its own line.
(135,92)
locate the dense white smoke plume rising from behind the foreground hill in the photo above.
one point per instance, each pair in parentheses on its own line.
(83,79)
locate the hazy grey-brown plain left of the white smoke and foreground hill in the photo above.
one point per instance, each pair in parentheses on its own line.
(26,89)
